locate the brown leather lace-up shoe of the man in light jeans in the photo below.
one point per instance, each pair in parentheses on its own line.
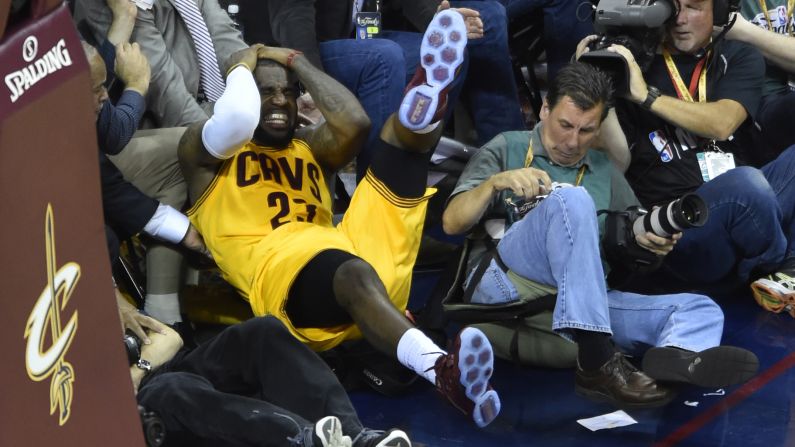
(621,384)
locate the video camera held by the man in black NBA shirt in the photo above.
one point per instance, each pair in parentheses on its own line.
(636,24)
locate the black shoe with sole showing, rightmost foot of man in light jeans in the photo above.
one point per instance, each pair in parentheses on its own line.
(712,368)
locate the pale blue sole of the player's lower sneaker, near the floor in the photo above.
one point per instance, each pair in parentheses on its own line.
(476,365)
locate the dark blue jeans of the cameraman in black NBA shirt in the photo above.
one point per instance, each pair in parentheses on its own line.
(750,226)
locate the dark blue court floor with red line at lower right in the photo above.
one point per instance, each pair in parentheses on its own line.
(540,408)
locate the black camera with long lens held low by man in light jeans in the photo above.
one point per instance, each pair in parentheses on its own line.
(623,252)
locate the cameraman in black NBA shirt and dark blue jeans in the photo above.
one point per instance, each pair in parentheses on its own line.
(698,93)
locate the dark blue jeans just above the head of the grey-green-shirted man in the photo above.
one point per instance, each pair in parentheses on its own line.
(563,29)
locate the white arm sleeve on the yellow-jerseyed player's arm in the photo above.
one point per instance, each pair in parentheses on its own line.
(235,116)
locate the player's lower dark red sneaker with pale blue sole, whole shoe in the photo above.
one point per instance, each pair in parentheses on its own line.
(463,376)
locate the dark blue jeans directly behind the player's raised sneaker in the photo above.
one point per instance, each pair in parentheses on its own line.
(489,89)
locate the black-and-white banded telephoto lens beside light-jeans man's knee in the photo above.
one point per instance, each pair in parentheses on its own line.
(688,211)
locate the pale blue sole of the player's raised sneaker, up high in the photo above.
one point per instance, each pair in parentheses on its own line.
(441,53)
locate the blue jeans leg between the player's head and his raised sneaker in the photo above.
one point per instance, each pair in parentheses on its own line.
(373,70)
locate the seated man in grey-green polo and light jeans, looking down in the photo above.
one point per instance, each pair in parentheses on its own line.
(555,248)
